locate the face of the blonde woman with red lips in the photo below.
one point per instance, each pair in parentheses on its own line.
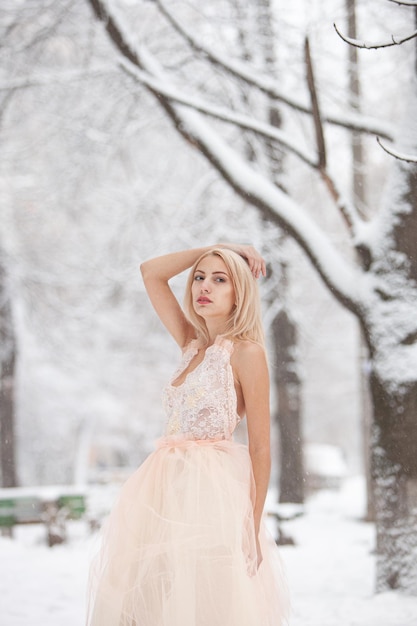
(212,289)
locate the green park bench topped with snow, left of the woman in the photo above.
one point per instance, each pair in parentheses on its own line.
(52,506)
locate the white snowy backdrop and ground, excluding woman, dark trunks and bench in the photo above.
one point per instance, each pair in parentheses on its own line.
(93,179)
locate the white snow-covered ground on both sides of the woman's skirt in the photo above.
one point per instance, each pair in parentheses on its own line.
(330,571)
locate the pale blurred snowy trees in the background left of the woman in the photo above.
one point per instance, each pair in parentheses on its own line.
(88,187)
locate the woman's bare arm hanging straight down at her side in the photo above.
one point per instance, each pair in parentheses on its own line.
(253,376)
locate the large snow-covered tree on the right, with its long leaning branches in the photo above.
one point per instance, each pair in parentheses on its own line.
(375,279)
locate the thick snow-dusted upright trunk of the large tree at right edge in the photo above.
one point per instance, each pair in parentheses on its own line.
(392,338)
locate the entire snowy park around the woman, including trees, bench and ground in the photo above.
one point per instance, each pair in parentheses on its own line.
(132,129)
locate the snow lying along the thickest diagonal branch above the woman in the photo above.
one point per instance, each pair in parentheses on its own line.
(341,276)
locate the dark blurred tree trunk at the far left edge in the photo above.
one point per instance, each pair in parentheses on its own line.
(7,366)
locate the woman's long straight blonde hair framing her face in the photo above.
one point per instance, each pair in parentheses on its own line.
(245,321)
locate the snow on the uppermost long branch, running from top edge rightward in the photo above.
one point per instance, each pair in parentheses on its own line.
(268,86)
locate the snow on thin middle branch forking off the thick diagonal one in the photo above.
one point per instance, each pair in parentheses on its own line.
(221,113)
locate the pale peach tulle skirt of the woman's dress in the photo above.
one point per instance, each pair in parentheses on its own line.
(179,548)
